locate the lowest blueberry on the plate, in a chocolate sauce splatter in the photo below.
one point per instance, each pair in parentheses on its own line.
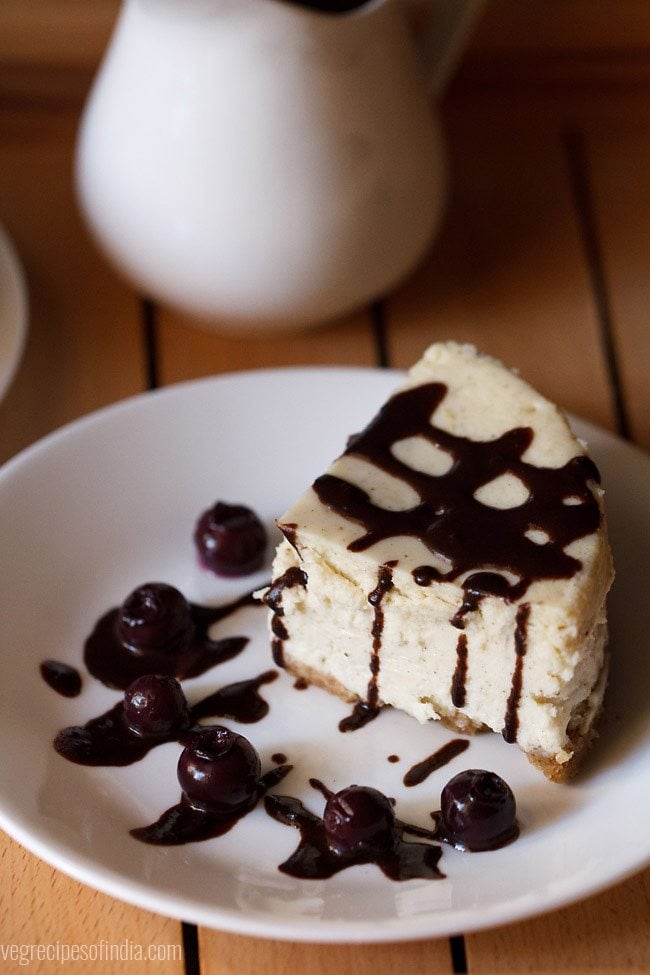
(359,820)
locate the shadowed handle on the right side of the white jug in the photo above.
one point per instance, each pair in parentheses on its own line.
(449,25)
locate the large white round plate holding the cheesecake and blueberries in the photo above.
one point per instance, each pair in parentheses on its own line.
(109,503)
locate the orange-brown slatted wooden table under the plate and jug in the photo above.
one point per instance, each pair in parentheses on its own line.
(544,260)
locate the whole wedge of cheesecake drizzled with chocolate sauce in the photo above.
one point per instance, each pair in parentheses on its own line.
(453,562)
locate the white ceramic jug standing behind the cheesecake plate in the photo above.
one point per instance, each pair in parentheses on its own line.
(264,163)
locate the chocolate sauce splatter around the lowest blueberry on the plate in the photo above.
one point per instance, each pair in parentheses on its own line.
(315,860)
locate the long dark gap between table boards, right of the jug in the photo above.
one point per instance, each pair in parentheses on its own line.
(583,200)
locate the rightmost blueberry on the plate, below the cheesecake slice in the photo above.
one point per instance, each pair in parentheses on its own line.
(478,810)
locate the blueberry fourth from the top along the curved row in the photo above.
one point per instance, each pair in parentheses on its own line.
(219,771)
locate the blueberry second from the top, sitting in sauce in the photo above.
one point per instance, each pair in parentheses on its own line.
(154,617)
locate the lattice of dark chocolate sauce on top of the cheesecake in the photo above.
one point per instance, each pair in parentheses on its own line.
(449,520)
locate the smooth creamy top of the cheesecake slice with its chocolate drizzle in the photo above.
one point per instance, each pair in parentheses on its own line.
(466,470)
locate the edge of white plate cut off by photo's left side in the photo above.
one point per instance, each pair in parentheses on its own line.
(13,311)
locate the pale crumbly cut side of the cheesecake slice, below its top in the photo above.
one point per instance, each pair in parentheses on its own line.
(417,667)
